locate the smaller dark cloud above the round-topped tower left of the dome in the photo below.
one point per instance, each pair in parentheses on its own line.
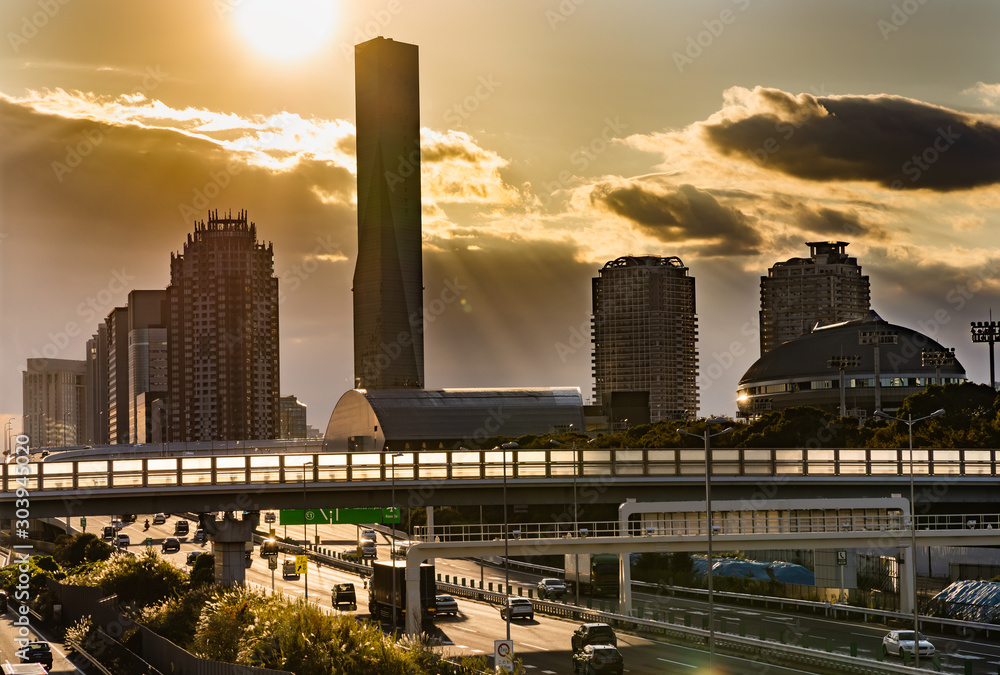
(680,214)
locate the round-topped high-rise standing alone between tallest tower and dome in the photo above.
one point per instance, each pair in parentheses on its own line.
(645,340)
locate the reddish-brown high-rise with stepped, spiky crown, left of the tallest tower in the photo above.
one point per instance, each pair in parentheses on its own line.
(223,334)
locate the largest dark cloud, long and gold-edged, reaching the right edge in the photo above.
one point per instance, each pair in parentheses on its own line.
(896,142)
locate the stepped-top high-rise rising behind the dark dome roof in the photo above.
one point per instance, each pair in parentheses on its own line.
(825,288)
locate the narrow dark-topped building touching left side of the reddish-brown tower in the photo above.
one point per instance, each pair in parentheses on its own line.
(147,365)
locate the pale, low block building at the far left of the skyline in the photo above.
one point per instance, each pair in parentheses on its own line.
(55,402)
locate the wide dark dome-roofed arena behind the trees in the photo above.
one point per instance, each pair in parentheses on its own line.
(805,371)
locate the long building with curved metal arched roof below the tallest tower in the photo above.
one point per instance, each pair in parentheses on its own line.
(431,419)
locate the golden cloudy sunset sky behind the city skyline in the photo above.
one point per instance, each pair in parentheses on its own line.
(557,135)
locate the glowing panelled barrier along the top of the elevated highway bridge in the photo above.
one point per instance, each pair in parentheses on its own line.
(290,468)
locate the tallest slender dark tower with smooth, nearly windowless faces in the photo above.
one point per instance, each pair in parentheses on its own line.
(388,277)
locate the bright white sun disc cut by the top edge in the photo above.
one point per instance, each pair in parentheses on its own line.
(285,30)
